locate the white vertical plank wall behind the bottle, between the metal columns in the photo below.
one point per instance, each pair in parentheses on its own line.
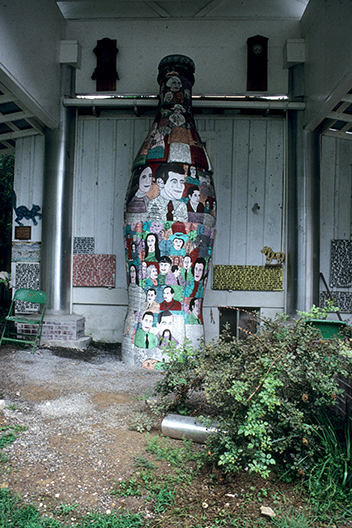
(248,159)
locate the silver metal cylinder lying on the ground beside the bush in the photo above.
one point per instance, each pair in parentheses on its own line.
(178,426)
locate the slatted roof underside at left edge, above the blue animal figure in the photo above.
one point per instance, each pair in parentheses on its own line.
(15,121)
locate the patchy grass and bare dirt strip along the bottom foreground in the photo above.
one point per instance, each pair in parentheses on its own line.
(173,489)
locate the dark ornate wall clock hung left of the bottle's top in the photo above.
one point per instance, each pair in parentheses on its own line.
(105,73)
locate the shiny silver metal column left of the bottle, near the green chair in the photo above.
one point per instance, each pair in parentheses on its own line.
(57,204)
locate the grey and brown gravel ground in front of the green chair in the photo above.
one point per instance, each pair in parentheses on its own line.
(77,407)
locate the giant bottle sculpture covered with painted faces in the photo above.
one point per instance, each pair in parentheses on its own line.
(169,224)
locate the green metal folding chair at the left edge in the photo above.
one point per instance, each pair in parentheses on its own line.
(9,332)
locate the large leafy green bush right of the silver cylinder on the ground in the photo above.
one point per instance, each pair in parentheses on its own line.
(265,392)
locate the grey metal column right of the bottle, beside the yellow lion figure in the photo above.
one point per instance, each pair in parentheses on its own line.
(303,221)
